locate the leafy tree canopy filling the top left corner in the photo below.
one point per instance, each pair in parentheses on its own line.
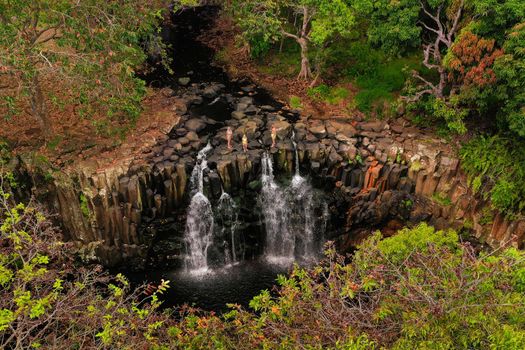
(81,53)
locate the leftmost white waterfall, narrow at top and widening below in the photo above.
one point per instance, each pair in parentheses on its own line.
(199,220)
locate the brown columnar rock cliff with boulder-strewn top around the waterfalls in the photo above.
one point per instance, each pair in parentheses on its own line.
(372,170)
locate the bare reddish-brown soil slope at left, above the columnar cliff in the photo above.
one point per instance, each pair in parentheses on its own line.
(77,138)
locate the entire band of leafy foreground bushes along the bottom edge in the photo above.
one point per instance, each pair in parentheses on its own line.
(419,289)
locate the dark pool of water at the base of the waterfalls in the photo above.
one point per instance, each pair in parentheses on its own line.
(212,290)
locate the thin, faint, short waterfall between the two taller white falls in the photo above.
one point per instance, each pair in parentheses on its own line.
(228,214)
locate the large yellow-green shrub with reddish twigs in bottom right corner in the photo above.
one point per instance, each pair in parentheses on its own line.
(418,289)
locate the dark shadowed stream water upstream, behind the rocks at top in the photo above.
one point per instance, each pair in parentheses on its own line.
(194,60)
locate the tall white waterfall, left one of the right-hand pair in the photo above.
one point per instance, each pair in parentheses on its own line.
(280,241)
